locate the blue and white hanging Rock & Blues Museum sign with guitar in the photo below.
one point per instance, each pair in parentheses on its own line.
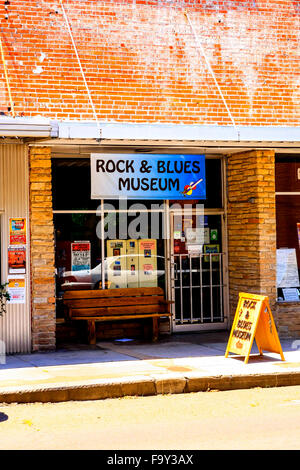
(147,176)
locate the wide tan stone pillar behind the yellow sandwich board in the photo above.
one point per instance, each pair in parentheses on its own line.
(251,225)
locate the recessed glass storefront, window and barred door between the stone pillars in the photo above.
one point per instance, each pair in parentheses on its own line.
(179,245)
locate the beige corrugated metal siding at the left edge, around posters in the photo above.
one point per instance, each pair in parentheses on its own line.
(15,326)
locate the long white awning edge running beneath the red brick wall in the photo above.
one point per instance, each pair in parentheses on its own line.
(200,134)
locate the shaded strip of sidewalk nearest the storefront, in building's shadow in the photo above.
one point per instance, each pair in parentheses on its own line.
(176,346)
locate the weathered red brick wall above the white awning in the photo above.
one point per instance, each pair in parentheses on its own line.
(142,65)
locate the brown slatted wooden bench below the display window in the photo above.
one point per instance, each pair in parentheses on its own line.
(116,304)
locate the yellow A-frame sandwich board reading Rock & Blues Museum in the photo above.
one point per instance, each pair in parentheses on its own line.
(253,319)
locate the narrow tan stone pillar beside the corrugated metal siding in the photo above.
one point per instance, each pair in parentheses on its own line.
(42,250)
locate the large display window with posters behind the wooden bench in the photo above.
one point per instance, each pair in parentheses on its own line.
(127,262)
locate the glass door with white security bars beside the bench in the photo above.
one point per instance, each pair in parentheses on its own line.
(197,273)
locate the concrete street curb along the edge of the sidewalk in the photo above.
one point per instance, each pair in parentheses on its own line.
(146,386)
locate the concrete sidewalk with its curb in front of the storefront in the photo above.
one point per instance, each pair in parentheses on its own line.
(180,363)
